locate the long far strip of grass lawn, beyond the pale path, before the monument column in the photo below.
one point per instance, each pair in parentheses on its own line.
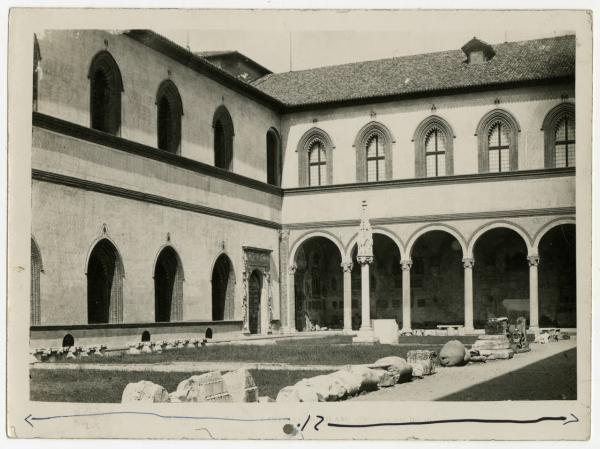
(335,350)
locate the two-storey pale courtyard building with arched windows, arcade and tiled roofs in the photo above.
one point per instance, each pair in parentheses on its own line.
(174,192)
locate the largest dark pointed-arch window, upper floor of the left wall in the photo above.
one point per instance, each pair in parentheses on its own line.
(106,87)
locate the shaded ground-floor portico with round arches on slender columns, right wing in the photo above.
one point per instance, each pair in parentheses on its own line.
(459,273)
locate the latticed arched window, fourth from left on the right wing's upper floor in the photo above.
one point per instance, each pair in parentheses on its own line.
(498,142)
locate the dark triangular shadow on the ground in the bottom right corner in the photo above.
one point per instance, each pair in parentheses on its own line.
(554,378)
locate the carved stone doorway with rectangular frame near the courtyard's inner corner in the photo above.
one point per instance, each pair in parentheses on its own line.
(257,265)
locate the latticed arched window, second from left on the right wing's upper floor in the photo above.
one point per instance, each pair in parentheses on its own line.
(373,153)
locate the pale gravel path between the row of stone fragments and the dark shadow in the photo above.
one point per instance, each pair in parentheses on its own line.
(447,381)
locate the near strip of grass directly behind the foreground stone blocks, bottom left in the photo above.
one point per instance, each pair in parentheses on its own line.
(78,385)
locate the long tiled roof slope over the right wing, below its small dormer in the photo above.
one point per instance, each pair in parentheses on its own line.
(514,62)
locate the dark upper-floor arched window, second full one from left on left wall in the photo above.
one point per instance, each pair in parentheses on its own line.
(169,112)
